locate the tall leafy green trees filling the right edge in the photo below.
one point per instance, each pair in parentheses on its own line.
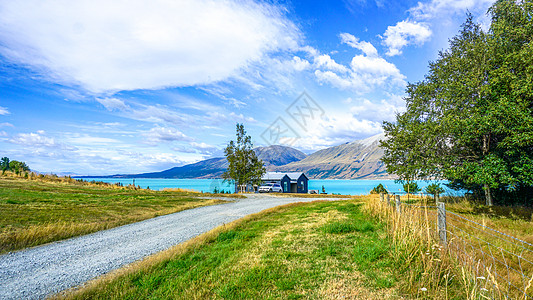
(470,120)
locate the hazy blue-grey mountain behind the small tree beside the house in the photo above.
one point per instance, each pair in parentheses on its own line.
(272,156)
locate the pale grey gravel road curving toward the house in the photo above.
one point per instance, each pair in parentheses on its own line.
(40,271)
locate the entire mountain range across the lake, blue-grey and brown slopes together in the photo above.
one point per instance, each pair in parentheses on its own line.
(356,160)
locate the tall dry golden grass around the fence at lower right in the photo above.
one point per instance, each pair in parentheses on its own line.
(462,263)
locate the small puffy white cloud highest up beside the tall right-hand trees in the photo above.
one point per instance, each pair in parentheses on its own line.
(404,33)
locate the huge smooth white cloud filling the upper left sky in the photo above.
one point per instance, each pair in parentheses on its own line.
(127,45)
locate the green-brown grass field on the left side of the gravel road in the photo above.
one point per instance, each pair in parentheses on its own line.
(34,212)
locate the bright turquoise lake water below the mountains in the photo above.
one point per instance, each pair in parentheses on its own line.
(337,186)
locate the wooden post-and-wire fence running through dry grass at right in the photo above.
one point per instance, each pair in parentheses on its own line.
(502,264)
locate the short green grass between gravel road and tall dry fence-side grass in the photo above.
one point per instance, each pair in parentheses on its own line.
(317,250)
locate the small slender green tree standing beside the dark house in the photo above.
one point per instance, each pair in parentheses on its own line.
(244,166)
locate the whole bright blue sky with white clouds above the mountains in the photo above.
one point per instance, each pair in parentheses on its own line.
(99,87)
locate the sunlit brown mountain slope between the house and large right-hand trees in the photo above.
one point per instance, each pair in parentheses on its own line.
(357,160)
